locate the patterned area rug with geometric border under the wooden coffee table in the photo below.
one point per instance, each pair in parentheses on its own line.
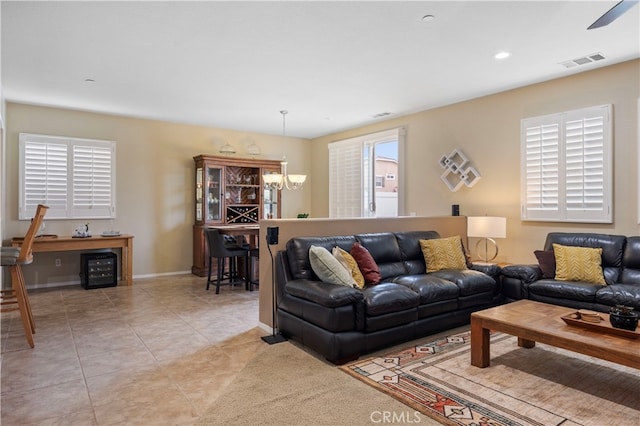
(539,386)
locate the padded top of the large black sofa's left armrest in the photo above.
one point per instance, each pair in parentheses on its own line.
(325,294)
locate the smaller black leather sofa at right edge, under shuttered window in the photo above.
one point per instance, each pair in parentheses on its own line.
(620,264)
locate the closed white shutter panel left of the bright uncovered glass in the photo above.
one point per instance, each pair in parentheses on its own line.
(345,179)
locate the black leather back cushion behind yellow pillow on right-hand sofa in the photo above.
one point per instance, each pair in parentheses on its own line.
(612,249)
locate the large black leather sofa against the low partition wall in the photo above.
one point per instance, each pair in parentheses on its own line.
(342,323)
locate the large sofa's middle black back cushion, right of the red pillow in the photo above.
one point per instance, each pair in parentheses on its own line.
(386,252)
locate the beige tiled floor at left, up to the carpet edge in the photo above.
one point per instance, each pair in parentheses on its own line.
(158,352)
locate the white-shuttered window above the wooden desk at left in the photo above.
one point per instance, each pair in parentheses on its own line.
(74,177)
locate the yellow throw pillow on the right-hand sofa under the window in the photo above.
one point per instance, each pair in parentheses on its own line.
(579,264)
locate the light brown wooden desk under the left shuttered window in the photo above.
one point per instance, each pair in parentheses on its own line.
(66,243)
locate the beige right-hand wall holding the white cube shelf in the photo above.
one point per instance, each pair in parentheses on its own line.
(488,131)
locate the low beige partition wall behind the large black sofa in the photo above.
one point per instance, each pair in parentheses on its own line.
(447,226)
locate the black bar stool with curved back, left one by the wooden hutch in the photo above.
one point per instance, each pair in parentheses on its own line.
(226,252)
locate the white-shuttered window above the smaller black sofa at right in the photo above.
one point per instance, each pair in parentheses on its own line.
(566,166)
